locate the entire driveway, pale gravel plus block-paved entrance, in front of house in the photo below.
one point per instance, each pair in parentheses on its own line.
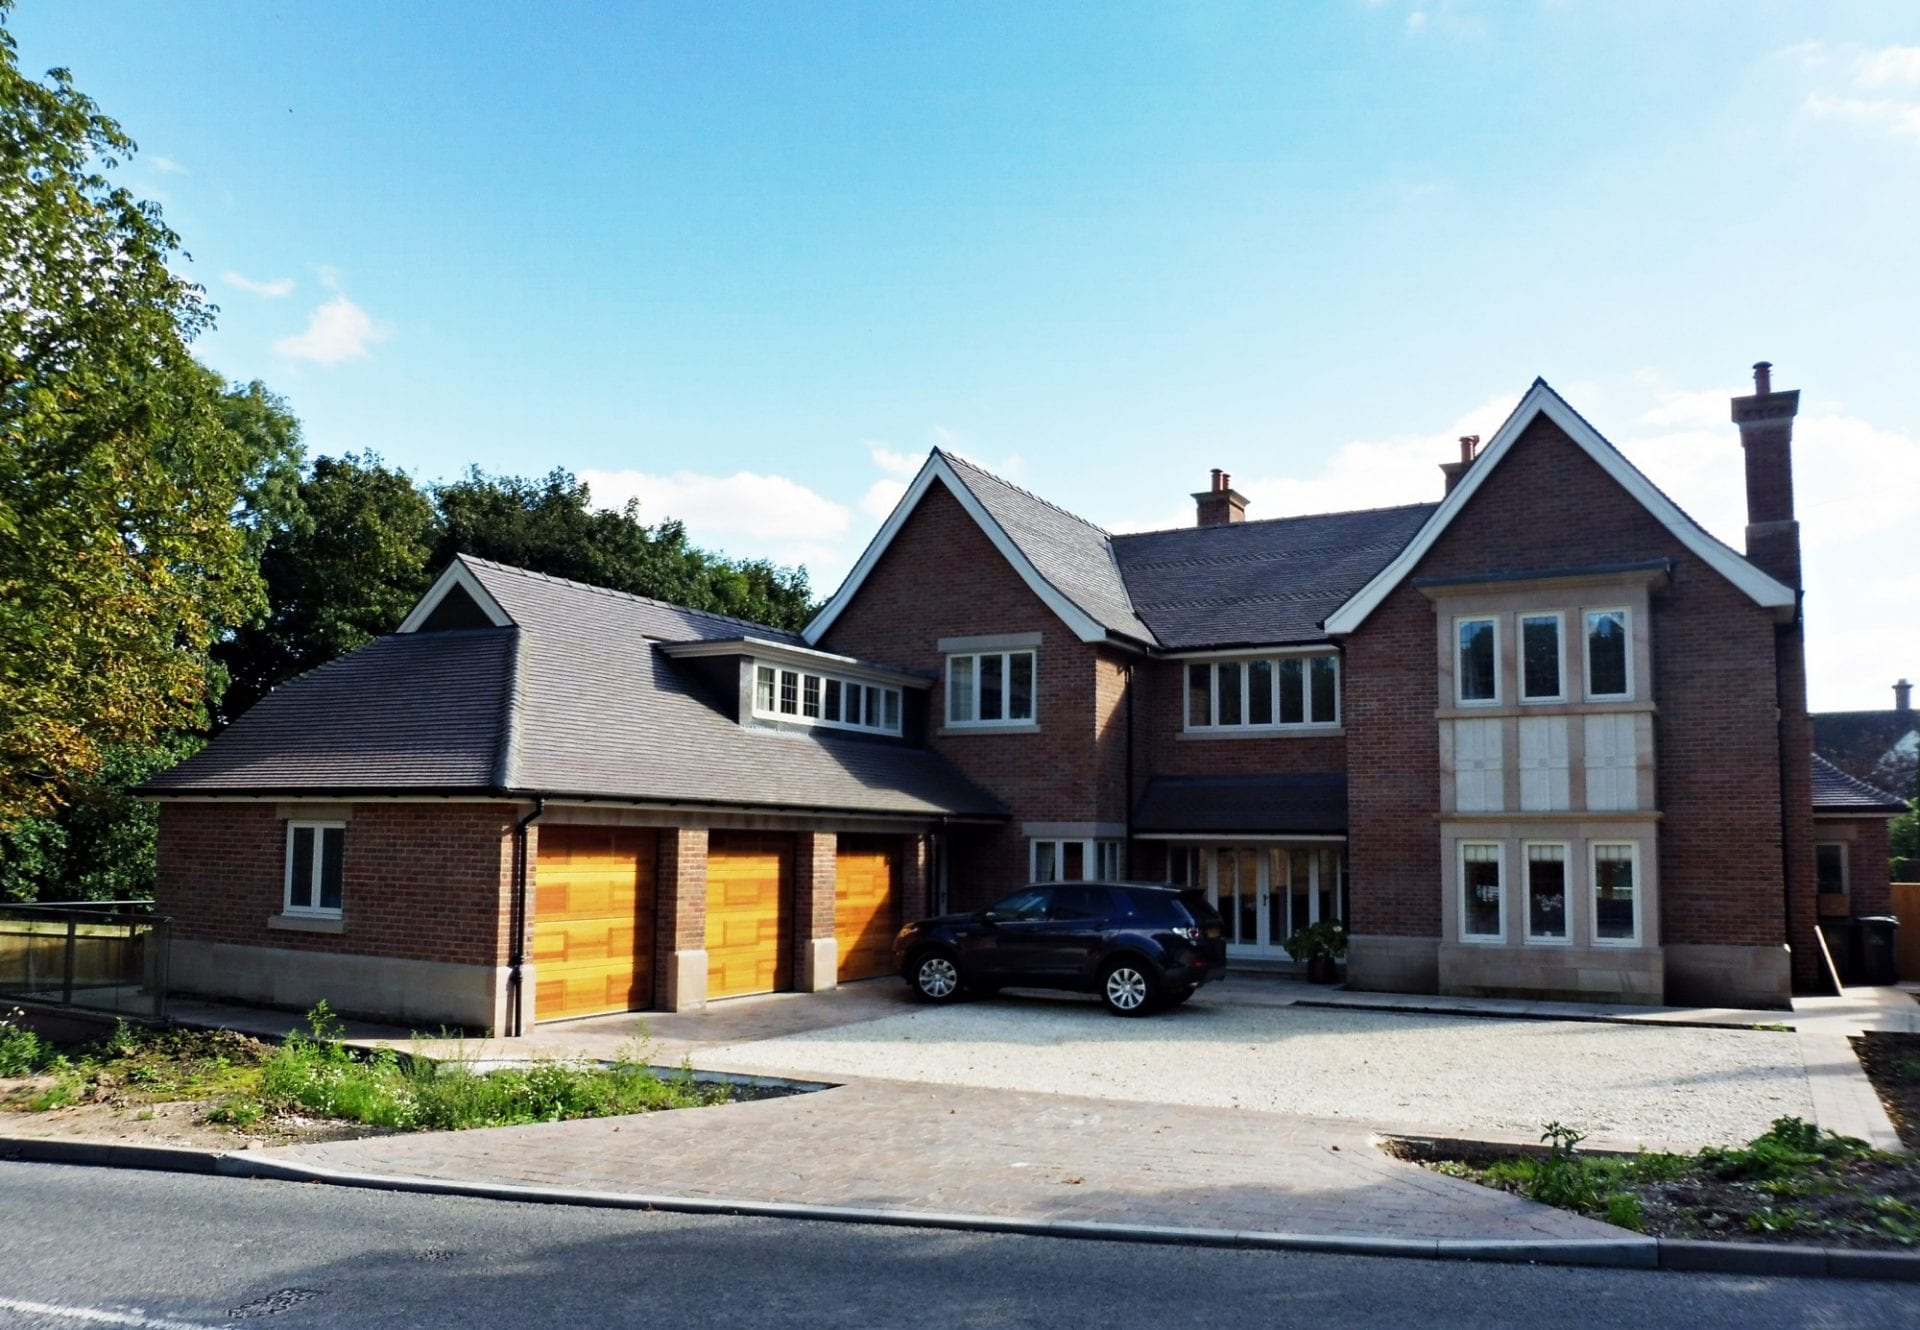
(1236,1112)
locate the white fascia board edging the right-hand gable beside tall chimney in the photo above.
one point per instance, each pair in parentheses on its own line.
(1543,400)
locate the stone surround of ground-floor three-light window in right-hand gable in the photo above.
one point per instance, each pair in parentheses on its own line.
(1579,834)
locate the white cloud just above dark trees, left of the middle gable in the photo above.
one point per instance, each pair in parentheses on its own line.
(746,515)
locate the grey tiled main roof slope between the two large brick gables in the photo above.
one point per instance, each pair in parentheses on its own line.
(1259,582)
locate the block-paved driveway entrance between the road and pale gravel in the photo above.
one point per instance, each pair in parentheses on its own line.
(909,1147)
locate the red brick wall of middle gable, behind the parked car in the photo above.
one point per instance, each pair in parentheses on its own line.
(944,579)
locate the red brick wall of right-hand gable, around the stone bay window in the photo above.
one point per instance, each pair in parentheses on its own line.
(1548,506)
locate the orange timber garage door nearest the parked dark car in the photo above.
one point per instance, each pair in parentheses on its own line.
(750,913)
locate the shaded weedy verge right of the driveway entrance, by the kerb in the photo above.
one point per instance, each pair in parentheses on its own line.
(1792,1183)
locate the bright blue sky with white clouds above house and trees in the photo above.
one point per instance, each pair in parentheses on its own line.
(752,262)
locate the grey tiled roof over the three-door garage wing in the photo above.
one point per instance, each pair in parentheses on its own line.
(575,698)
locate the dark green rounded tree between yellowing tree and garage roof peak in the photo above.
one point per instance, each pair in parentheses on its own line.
(345,561)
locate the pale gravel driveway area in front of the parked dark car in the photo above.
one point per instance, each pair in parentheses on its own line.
(1441,1074)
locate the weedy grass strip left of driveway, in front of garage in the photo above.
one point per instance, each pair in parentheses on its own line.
(318,1076)
